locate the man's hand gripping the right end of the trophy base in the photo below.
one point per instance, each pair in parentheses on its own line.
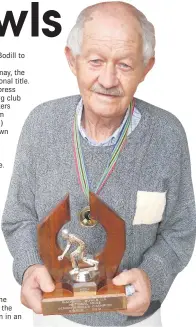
(138,303)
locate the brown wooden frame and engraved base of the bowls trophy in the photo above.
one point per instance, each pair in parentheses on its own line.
(97,293)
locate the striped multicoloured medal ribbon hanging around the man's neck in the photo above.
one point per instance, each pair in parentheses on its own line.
(80,166)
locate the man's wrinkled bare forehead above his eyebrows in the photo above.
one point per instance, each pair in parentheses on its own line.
(112,33)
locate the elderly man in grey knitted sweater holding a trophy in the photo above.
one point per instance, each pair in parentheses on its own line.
(134,156)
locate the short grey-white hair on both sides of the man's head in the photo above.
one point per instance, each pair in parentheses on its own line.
(75,37)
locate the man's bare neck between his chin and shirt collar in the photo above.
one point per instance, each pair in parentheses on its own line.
(100,128)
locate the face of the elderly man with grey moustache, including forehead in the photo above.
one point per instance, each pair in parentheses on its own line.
(110,65)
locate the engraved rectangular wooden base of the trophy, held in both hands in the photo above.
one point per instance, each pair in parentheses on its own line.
(62,302)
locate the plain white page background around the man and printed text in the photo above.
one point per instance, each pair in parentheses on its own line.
(170,85)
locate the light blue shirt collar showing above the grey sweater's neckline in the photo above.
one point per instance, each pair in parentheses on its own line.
(114,137)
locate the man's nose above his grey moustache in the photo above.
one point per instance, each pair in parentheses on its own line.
(108,76)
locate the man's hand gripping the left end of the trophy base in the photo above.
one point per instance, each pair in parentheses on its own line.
(36,279)
